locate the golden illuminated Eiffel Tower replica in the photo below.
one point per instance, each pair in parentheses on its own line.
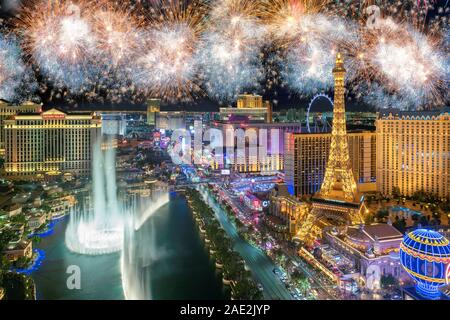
(338,197)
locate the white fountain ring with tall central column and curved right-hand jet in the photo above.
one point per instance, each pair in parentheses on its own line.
(97,227)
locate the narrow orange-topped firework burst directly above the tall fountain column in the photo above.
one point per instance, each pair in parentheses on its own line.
(119,39)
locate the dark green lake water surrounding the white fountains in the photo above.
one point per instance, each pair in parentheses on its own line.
(182,268)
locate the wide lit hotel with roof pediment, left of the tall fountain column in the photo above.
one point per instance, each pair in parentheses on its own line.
(50,142)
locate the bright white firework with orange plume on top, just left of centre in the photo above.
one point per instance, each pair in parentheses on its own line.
(167,68)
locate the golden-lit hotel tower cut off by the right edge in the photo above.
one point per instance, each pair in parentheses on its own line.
(413,152)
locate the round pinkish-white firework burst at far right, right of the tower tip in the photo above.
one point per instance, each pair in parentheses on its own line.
(411,65)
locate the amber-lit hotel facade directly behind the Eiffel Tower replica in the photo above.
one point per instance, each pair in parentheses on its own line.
(306,156)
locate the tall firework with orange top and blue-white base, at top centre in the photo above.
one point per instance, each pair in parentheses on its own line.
(231,52)
